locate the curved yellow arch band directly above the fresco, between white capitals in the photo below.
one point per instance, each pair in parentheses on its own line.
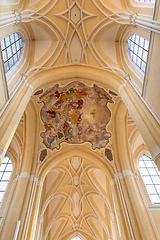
(86,73)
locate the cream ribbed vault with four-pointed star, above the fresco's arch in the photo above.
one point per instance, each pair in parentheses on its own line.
(86,32)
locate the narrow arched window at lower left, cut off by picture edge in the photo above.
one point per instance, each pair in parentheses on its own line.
(5,173)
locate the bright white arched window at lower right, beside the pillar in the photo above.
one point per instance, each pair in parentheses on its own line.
(151,177)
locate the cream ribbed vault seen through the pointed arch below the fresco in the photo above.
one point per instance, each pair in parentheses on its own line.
(76,199)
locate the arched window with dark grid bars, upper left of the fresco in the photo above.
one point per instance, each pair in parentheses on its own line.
(11,46)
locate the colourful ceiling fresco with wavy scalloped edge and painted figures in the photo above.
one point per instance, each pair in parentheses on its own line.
(75,114)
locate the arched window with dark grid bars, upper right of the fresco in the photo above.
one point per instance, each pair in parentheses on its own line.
(138,50)
